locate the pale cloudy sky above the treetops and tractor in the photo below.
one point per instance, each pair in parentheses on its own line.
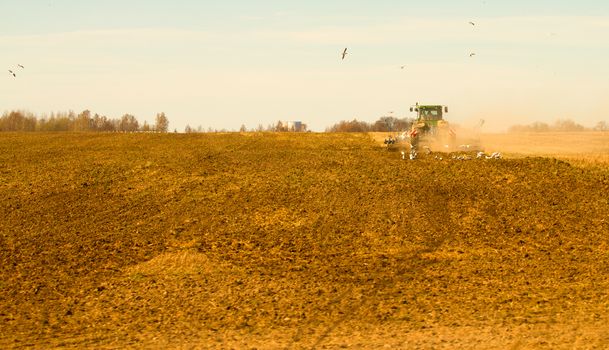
(222,64)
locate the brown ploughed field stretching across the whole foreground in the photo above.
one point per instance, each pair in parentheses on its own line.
(299,241)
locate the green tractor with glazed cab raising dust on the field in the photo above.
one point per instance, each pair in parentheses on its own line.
(431,129)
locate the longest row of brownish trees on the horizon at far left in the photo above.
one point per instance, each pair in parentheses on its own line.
(83,121)
